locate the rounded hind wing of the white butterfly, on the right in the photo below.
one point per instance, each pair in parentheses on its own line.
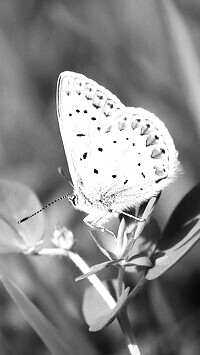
(142,157)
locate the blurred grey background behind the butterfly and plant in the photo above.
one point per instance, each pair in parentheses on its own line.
(148,54)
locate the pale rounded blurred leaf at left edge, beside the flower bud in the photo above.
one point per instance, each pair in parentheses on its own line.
(17,201)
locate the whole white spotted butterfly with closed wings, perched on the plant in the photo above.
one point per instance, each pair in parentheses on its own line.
(118,156)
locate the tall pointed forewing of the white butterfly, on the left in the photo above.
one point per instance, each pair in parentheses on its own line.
(84,108)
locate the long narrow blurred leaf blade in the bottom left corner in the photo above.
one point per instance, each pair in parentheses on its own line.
(45,330)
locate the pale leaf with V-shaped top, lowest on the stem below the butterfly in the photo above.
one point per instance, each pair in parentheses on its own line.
(96,312)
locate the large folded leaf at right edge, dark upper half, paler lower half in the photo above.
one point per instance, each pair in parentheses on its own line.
(180,235)
